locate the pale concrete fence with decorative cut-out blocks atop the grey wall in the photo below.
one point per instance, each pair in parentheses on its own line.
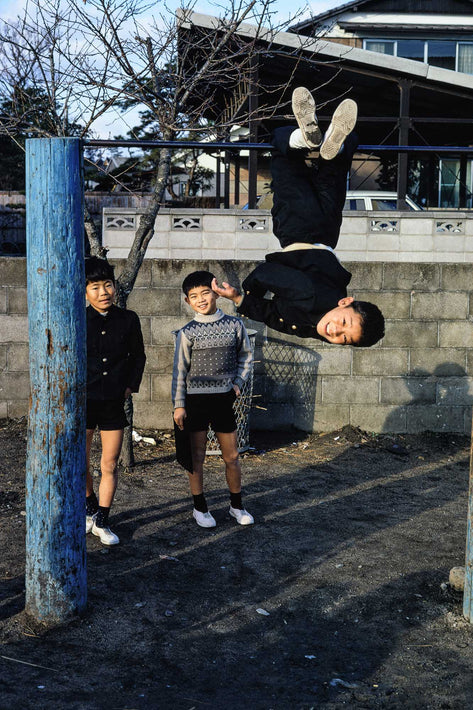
(247,234)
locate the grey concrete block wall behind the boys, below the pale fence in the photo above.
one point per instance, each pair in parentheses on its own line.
(420,377)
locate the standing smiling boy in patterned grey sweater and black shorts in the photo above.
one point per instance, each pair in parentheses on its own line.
(212,360)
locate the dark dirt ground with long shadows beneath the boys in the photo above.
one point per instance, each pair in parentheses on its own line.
(354,538)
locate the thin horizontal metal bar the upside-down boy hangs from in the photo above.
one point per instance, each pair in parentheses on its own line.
(238,146)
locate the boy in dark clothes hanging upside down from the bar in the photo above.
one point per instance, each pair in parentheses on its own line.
(306,279)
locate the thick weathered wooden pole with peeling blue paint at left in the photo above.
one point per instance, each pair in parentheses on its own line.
(56,582)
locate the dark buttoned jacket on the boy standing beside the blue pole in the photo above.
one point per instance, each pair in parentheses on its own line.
(115,353)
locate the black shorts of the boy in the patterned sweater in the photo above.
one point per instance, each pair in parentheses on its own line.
(213,409)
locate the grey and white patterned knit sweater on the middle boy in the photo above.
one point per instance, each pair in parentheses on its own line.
(213,353)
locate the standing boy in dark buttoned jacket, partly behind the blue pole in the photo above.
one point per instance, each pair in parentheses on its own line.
(115,363)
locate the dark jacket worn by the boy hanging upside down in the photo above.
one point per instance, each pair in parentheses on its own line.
(306,283)
